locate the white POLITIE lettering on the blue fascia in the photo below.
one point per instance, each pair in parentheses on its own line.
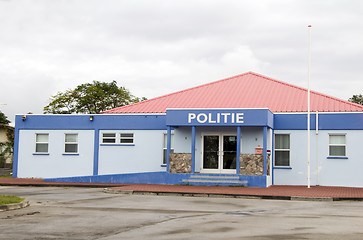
(216,117)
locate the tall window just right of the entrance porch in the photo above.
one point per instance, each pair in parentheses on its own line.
(282,150)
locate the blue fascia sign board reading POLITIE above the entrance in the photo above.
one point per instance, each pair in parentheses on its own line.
(219,117)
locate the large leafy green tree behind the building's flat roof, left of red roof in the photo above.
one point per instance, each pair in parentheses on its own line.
(91,98)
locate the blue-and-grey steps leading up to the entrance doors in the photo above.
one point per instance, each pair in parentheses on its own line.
(214,180)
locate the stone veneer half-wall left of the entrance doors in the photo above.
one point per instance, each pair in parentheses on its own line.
(180,163)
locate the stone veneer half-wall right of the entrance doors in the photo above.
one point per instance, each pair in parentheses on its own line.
(252,164)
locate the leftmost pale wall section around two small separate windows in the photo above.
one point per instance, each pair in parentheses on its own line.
(55,164)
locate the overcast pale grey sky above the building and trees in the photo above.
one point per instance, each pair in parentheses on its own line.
(157,47)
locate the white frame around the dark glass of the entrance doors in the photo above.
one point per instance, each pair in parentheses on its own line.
(220,169)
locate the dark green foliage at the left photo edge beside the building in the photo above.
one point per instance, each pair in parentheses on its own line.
(6,148)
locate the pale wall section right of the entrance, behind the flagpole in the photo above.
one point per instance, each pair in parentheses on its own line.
(332,172)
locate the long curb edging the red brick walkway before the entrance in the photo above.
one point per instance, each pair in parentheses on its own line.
(221,195)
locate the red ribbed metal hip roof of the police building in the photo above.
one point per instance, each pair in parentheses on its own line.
(248,90)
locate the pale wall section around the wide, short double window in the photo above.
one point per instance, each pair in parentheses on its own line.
(145,156)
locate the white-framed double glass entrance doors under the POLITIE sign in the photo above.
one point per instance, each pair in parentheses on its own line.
(219,153)
